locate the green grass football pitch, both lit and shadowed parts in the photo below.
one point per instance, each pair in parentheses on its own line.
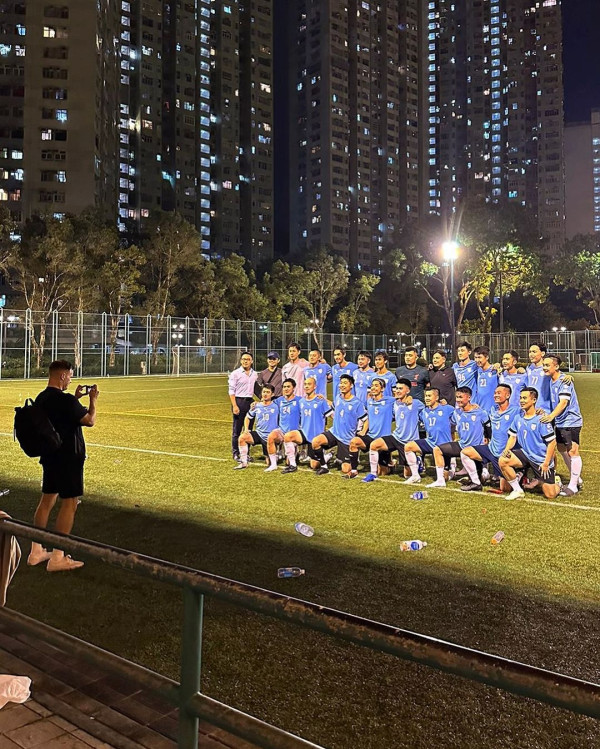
(159,480)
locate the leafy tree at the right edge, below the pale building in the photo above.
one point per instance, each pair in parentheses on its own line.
(578,268)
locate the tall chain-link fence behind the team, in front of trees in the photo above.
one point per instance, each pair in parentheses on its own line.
(101,344)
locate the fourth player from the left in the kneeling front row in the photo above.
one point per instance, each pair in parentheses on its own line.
(349,419)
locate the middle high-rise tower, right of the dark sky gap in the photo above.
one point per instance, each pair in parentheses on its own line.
(354,124)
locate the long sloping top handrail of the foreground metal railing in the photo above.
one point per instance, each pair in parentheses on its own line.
(523,679)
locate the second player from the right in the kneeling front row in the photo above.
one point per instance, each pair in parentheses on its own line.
(502,415)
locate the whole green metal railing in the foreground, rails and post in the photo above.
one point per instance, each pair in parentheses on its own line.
(552,688)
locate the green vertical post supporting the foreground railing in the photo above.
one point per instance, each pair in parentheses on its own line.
(191,666)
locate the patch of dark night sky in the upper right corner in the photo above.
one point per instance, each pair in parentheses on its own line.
(581,37)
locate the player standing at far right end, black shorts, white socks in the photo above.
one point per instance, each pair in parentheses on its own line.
(568,421)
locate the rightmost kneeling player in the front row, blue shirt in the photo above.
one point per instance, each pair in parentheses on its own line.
(537,452)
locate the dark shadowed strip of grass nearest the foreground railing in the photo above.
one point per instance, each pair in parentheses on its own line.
(334,693)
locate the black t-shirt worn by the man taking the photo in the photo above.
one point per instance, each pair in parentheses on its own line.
(65,412)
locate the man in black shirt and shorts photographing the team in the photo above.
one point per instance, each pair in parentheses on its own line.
(62,469)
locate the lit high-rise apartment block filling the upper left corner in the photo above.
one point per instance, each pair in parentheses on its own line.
(138,105)
